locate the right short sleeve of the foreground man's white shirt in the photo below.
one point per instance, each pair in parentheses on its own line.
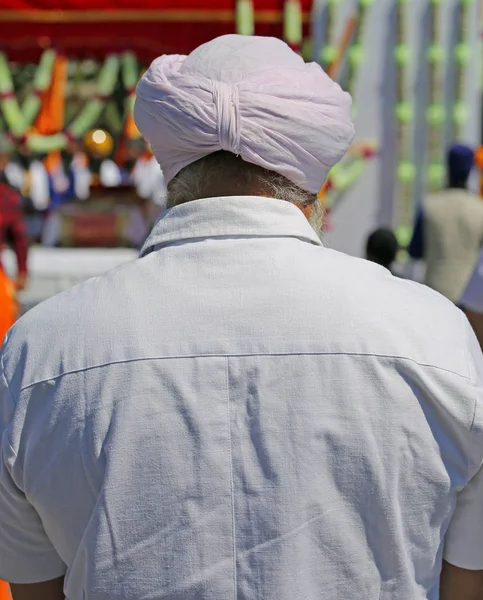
(464,538)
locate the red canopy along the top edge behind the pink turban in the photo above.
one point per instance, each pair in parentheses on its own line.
(148,27)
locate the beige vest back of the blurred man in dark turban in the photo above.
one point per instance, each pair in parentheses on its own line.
(453,233)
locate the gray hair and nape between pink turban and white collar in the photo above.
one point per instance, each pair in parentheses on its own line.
(225,172)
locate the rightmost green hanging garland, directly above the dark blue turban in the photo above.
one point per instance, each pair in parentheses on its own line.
(462,57)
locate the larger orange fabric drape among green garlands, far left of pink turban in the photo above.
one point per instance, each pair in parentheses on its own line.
(51,116)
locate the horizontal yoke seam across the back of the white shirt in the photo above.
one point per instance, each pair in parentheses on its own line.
(234,355)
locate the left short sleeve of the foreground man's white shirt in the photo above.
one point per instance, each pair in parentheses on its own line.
(26,553)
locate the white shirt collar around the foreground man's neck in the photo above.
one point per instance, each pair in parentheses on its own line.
(233,216)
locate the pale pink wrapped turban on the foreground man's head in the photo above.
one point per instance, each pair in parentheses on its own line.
(251,96)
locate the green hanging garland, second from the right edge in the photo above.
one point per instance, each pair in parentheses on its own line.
(436,113)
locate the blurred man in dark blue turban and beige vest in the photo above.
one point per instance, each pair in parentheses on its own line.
(448,232)
